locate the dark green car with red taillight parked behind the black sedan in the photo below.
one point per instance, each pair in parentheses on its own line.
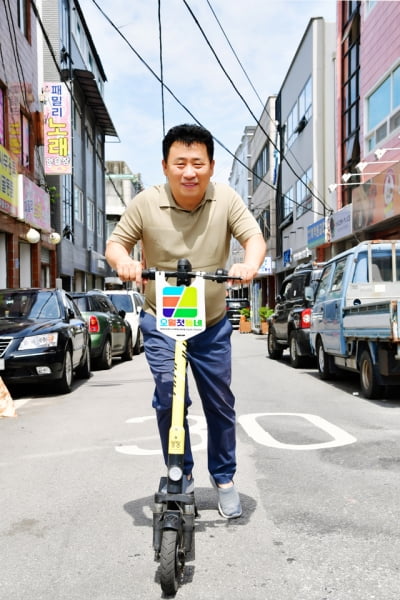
(110,333)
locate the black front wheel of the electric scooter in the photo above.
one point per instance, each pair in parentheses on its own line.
(171,563)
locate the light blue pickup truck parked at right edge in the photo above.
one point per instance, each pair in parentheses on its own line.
(355,316)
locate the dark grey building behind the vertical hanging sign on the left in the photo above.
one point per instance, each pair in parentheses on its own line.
(78,212)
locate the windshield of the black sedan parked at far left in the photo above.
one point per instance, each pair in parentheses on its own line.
(29,305)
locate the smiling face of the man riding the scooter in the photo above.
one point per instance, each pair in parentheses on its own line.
(189,171)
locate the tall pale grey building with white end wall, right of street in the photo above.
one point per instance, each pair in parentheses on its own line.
(305,111)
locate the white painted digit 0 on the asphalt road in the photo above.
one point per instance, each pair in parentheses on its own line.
(259,435)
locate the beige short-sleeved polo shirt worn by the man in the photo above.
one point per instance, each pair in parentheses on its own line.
(169,232)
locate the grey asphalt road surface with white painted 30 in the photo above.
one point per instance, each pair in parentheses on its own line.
(318,474)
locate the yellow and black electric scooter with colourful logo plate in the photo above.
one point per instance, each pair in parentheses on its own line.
(180,314)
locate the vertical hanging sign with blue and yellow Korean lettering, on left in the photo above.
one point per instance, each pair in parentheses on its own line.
(57,129)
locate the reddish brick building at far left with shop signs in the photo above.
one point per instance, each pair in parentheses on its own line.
(27,254)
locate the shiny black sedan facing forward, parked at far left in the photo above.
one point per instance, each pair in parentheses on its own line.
(43,338)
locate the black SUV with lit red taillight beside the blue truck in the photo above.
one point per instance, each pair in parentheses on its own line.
(289,326)
